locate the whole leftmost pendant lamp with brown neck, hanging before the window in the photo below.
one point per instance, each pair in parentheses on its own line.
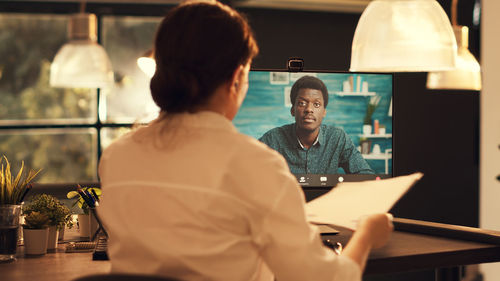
(82,63)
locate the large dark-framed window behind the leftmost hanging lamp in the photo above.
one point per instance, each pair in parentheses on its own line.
(62,131)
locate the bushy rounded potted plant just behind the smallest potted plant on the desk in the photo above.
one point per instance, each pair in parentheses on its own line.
(59,215)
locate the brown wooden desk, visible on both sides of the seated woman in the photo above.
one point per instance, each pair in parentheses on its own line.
(404,252)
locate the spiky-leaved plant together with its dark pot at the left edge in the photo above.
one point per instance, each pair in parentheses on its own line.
(12,193)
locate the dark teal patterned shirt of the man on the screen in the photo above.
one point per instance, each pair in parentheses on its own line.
(332,150)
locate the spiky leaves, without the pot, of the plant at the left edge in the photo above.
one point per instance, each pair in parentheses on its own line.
(13,190)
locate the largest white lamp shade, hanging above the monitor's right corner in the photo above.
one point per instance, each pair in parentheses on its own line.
(403,35)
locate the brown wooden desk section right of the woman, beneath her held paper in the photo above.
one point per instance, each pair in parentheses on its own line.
(410,252)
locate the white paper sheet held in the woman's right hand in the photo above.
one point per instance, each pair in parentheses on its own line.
(348,201)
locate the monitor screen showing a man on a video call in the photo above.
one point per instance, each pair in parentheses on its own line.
(338,126)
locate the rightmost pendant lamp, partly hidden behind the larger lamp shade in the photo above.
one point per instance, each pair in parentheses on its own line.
(467,74)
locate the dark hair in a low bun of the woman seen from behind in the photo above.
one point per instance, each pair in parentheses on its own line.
(198,47)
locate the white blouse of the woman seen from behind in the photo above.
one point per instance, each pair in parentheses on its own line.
(191,198)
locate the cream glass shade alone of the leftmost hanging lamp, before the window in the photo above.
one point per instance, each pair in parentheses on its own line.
(81,64)
